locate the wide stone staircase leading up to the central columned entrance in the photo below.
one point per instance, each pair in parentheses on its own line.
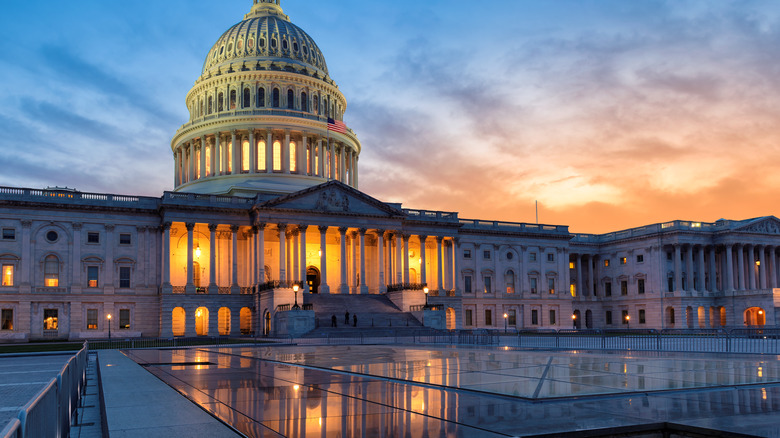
(375,313)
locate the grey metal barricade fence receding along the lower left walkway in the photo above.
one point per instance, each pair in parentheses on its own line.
(49,412)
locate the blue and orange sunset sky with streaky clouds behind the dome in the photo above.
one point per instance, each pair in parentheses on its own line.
(611,114)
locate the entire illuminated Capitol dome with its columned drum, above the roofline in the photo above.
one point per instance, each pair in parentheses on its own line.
(265,116)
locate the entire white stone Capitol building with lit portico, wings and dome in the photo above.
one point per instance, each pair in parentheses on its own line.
(266,213)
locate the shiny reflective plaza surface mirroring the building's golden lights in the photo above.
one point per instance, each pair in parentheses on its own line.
(420,391)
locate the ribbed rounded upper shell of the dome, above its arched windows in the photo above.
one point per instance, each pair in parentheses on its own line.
(265,34)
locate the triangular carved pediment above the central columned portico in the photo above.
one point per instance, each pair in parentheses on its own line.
(332,197)
